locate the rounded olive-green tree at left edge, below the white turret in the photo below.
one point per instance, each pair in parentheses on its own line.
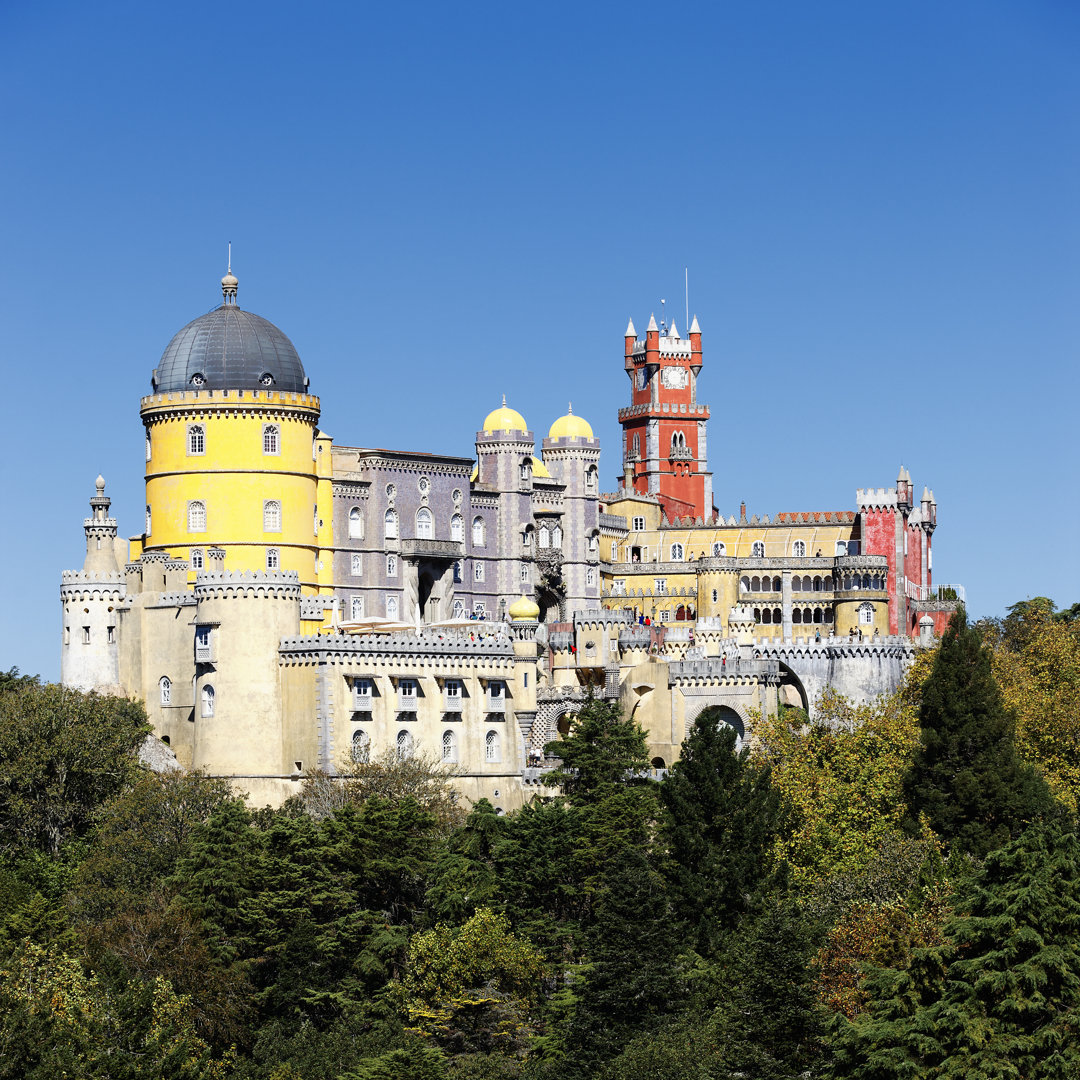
(63,753)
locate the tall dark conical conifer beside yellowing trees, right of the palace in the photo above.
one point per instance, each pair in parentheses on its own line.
(967,777)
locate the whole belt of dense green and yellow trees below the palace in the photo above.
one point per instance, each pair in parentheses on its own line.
(893,890)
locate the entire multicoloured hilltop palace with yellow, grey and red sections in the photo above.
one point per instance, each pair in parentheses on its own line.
(293,604)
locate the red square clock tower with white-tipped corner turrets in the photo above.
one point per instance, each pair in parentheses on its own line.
(664,441)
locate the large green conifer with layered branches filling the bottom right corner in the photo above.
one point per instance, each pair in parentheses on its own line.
(1002,997)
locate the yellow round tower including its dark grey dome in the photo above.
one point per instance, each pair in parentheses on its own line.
(231,447)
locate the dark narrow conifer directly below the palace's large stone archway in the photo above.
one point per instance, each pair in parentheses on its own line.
(722,818)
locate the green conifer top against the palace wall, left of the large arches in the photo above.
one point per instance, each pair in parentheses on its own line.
(603,750)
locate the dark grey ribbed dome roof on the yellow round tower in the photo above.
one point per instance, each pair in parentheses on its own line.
(231,349)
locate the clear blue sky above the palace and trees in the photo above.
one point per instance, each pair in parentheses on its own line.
(442,204)
